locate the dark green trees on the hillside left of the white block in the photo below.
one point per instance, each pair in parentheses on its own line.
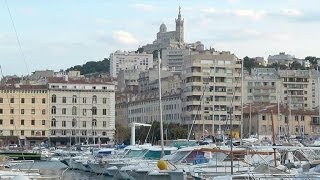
(93,67)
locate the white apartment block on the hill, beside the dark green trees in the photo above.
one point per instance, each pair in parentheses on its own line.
(129,60)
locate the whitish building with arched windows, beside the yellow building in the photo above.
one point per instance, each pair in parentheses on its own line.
(82,110)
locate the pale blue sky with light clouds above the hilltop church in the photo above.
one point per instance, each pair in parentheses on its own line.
(60,34)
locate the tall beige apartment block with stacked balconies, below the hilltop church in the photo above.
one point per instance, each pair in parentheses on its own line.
(211,96)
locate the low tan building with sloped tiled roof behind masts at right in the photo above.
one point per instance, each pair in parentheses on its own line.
(298,122)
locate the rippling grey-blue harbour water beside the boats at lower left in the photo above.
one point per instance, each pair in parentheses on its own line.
(55,168)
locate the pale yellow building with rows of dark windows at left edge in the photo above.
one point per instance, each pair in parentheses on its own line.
(24,115)
